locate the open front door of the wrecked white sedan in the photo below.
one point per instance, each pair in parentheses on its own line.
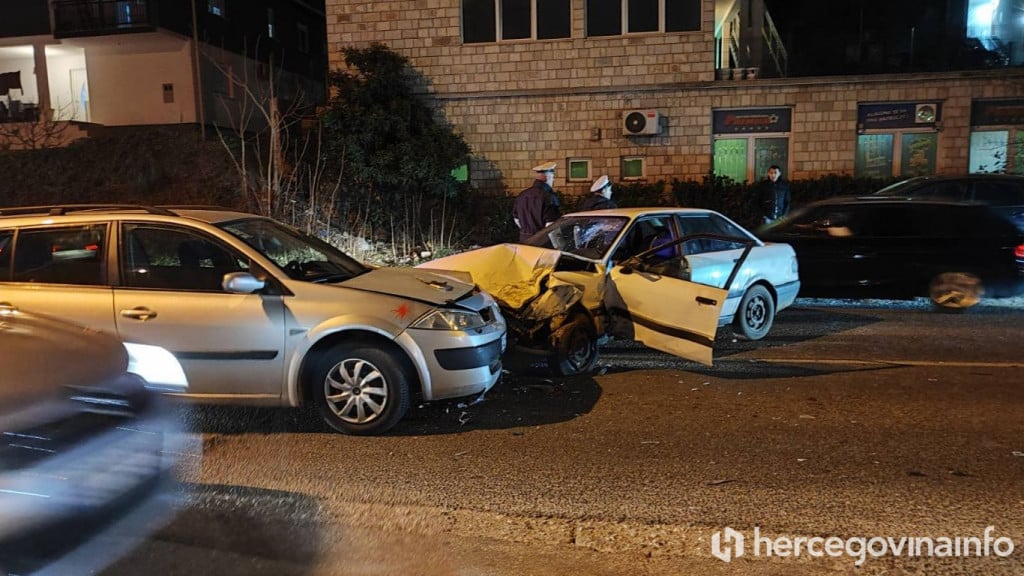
(664,311)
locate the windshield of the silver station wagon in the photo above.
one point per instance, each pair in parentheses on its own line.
(300,256)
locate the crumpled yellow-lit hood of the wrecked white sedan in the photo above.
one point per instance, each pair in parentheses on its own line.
(511,273)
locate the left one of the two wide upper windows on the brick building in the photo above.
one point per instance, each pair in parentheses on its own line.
(495,21)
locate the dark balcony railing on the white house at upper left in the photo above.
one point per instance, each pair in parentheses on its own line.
(95,18)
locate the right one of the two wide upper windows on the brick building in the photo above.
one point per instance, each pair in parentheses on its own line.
(614,18)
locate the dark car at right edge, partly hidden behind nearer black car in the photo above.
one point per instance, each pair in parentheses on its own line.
(1005,193)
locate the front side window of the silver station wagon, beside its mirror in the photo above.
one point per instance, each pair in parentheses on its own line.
(173,259)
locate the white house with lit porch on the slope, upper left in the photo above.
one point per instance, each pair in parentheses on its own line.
(132,63)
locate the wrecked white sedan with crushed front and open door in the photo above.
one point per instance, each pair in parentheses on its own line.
(666,277)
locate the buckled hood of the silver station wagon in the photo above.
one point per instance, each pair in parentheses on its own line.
(437,287)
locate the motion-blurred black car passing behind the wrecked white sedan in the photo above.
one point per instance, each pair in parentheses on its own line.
(953,253)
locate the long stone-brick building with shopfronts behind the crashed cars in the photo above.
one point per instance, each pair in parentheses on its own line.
(662,90)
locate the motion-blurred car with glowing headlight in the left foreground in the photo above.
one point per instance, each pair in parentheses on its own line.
(88,452)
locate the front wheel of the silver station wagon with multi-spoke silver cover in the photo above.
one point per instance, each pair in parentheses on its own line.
(360,390)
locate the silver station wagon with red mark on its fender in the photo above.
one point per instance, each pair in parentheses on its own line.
(258,312)
